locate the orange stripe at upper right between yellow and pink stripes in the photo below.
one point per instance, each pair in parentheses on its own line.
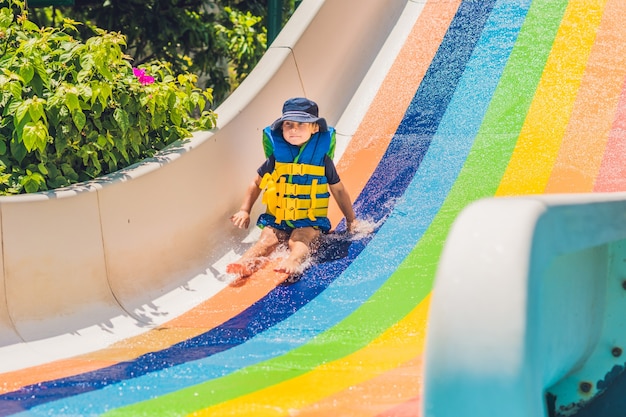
(582,149)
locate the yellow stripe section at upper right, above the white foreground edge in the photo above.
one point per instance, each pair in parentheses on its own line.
(537,147)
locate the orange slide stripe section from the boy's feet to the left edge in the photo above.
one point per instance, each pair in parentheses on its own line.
(221,307)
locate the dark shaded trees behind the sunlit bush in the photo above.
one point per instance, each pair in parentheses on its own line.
(219,40)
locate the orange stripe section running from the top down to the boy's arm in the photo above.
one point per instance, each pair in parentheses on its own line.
(382,119)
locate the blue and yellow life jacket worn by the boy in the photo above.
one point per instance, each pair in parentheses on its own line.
(297,190)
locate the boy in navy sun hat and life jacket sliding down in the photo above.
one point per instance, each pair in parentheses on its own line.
(296,176)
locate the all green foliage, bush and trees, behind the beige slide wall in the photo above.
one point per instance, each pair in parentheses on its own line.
(90,89)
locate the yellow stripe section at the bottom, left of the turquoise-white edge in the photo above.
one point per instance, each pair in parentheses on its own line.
(397,345)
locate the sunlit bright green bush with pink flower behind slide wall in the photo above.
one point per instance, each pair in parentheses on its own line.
(72,111)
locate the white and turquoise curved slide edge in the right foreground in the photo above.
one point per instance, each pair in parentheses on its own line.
(526,317)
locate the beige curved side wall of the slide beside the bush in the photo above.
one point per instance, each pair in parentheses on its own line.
(104,260)
